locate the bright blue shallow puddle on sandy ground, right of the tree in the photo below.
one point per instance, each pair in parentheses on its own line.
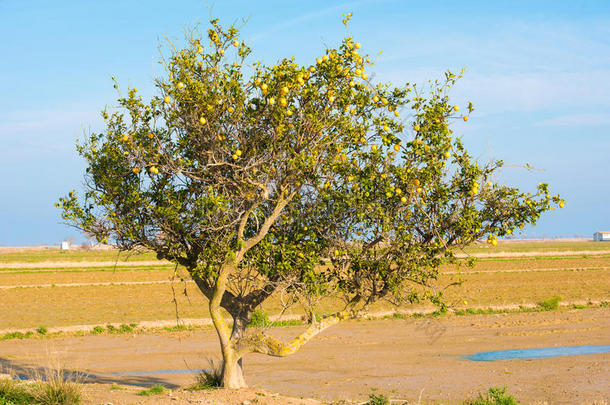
(541,353)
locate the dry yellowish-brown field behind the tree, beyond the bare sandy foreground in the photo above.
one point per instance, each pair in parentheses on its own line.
(83,288)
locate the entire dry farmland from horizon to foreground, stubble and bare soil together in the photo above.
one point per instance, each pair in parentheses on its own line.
(97,287)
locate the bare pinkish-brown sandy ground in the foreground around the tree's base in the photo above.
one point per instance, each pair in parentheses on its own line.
(402,358)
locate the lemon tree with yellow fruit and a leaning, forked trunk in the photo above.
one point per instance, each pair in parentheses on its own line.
(299,181)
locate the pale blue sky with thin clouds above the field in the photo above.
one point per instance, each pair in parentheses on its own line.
(537,72)
